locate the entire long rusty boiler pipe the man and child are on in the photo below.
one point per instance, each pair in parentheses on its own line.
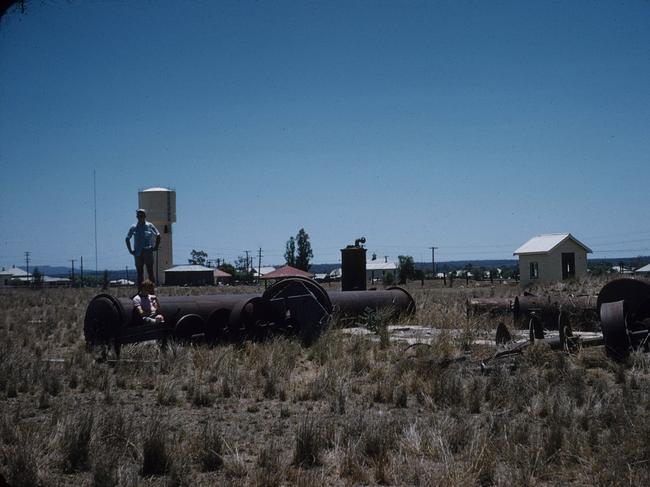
(293,306)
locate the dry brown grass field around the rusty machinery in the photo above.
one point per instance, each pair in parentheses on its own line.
(347,411)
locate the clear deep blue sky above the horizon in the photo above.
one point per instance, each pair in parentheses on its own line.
(469,125)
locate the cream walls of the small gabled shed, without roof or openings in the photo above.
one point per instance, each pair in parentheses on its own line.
(550,265)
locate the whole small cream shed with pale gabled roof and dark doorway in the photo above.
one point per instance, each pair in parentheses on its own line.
(552,257)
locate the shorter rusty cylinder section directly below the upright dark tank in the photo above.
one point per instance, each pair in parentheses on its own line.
(355,303)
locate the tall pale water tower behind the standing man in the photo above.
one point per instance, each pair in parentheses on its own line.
(160,205)
